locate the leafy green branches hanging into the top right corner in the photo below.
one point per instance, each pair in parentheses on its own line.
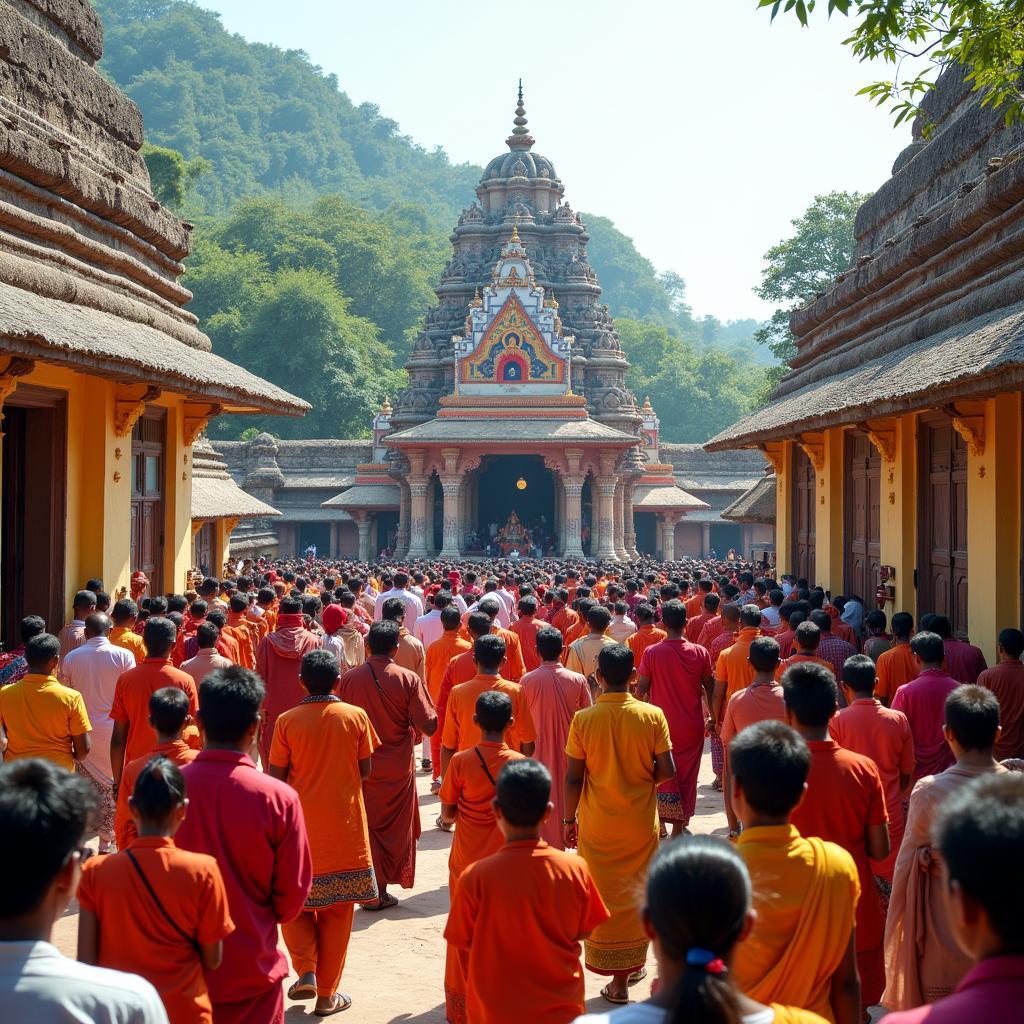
(920,38)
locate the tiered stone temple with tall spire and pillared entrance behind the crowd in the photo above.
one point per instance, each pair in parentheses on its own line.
(518,433)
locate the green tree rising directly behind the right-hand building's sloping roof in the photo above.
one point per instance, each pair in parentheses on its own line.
(802,266)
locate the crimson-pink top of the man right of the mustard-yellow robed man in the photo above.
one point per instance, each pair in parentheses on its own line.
(677,670)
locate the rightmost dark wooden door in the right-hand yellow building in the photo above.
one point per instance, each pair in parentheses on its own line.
(943,558)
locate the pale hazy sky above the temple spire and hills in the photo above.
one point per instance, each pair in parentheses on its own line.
(701,130)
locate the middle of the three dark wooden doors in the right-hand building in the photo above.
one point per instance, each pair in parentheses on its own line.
(863,513)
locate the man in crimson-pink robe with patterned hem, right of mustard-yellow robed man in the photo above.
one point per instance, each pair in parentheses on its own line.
(677,676)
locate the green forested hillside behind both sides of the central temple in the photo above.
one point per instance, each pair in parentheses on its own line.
(321,231)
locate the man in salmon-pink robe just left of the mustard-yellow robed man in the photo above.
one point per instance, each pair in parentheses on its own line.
(554,696)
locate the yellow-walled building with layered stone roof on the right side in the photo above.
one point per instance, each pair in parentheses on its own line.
(897,436)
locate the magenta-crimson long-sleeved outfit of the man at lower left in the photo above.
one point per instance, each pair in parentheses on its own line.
(252,825)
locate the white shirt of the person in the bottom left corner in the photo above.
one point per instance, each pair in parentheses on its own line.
(38,986)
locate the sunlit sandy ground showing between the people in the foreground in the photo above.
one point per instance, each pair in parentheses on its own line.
(396,967)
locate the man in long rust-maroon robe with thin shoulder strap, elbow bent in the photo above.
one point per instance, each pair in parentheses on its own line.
(399,707)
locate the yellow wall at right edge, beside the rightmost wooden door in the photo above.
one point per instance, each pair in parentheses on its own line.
(994,488)
